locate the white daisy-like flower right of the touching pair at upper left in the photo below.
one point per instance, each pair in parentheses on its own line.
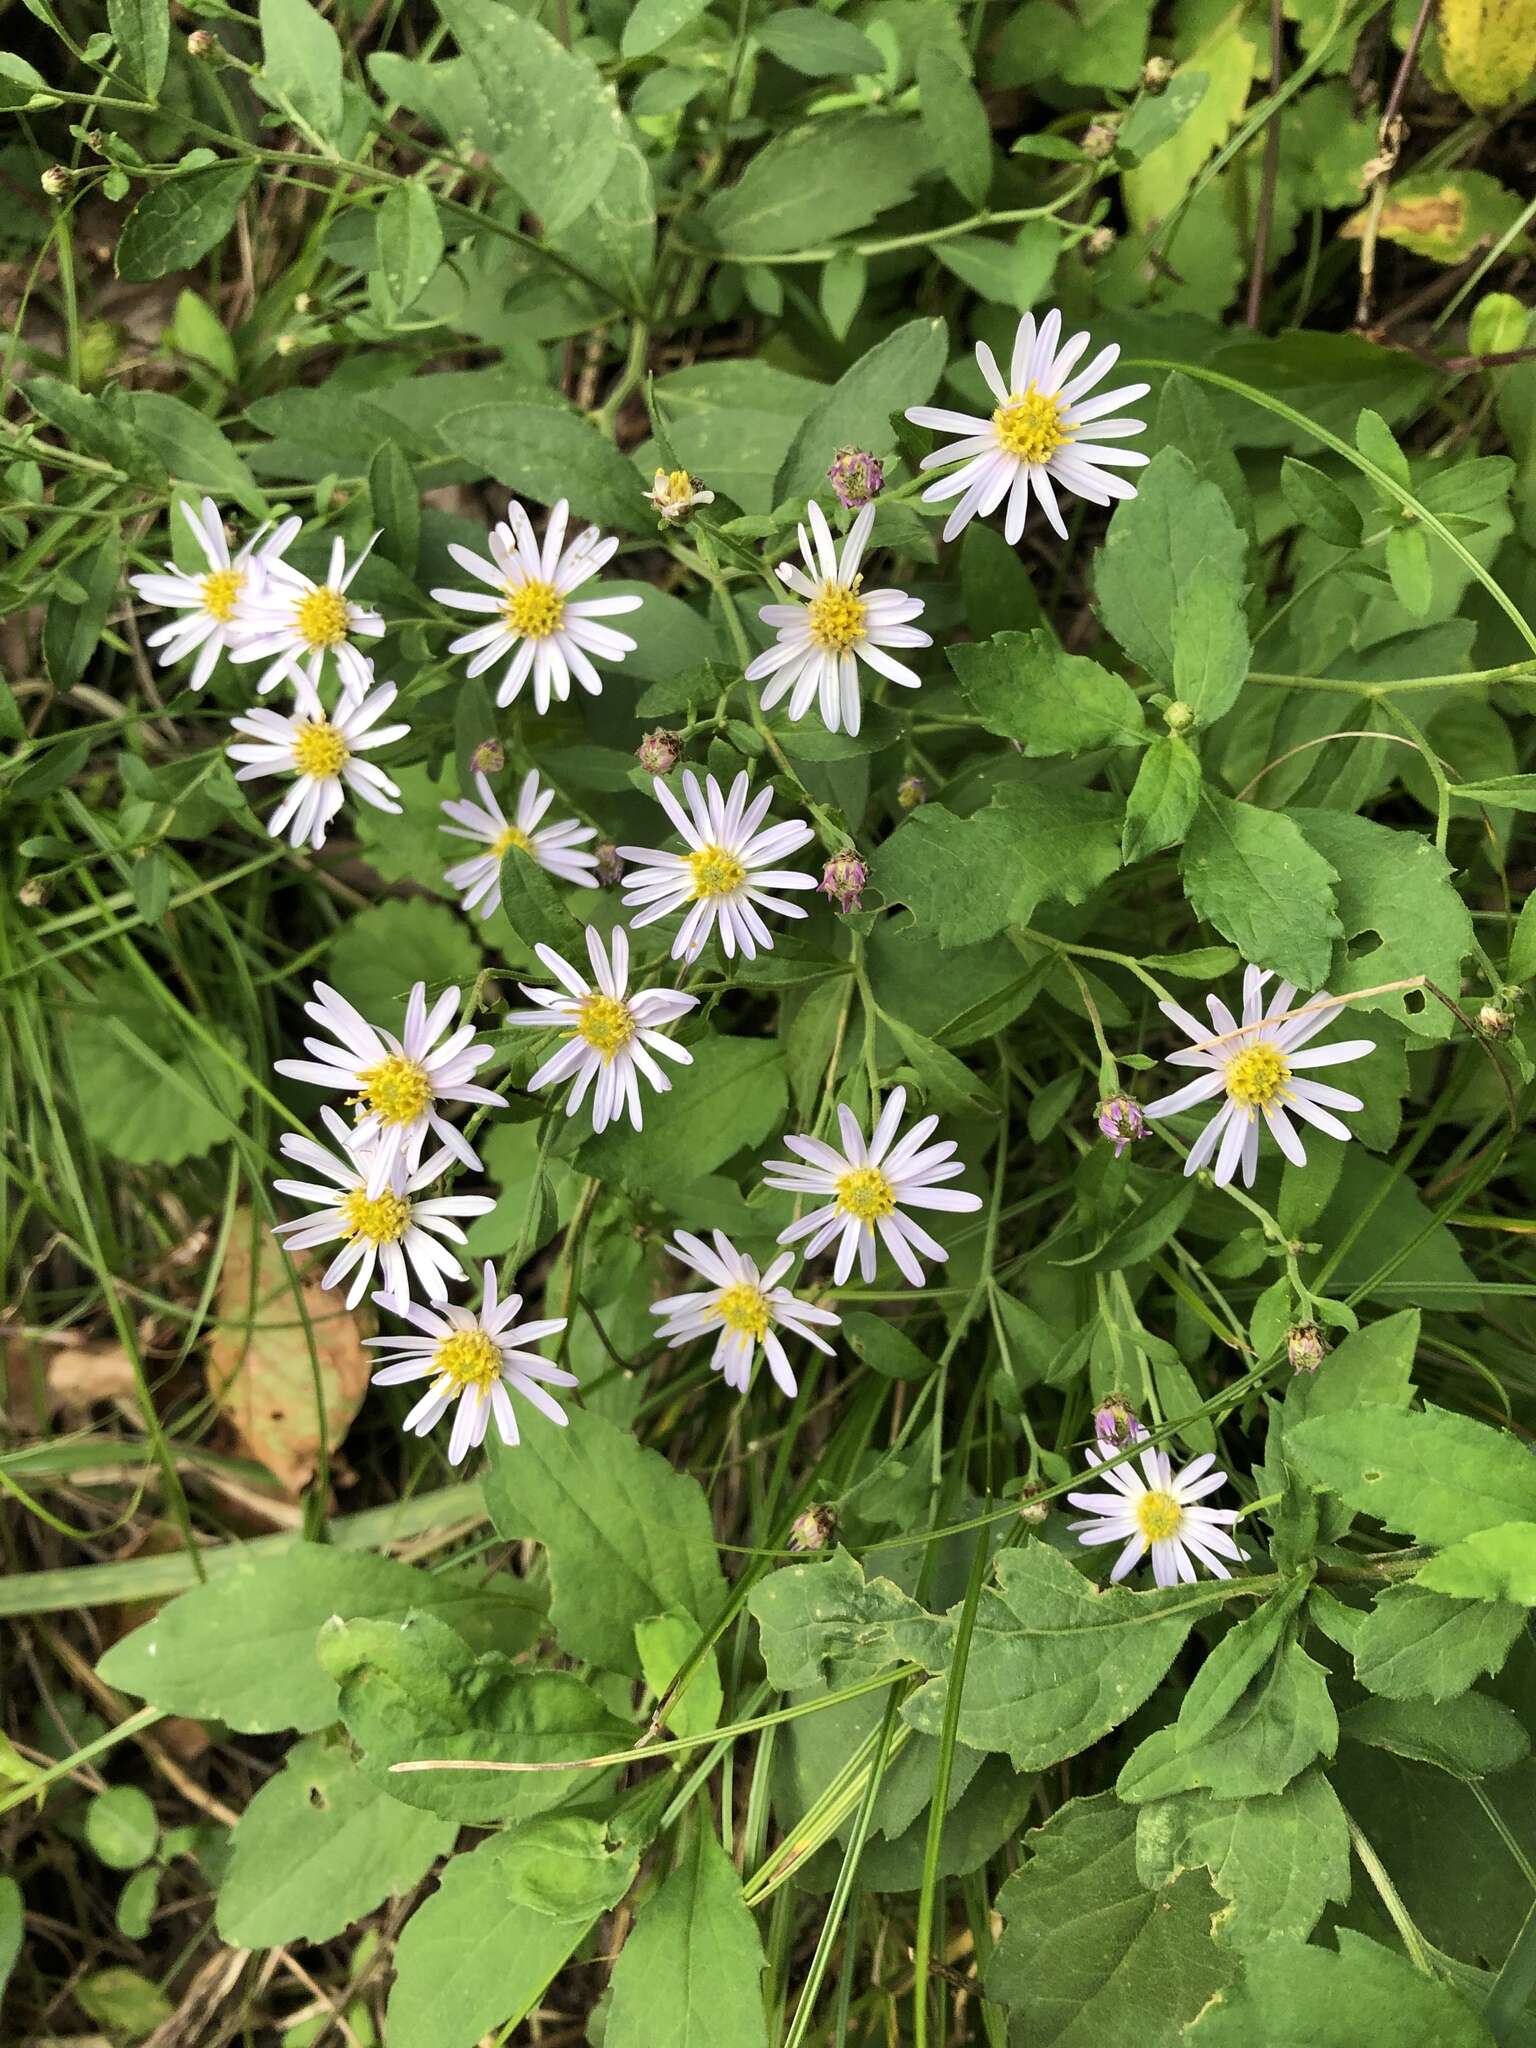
(536,620)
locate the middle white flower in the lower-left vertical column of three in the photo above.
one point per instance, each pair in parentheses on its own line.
(390,1230)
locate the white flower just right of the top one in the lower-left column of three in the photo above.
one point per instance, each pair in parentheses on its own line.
(609,1031)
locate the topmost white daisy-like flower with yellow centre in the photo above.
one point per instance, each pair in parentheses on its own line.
(1046,433)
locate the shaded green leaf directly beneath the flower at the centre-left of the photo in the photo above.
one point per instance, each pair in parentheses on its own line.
(730,1099)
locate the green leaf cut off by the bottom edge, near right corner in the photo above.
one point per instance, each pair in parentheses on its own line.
(1295,1996)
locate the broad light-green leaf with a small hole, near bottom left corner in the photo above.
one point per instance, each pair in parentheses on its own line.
(318,1848)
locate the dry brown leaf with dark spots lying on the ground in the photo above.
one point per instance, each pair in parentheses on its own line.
(259,1367)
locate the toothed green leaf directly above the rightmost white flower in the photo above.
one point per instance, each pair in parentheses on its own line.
(1263,886)
